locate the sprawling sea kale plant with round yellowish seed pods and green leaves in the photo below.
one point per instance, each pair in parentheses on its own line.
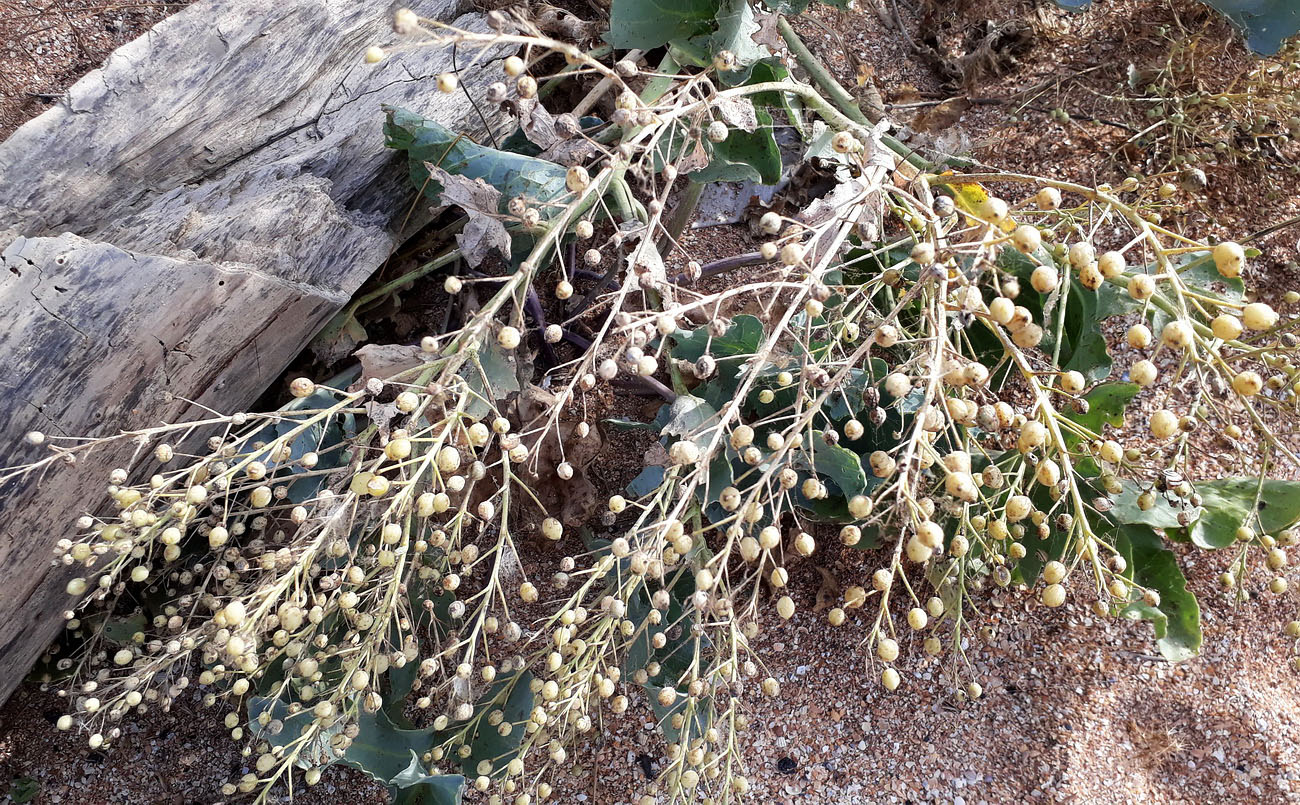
(409,568)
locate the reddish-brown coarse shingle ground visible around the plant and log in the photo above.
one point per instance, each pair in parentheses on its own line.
(1074,709)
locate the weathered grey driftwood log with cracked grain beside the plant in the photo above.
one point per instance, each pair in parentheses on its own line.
(176,231)
